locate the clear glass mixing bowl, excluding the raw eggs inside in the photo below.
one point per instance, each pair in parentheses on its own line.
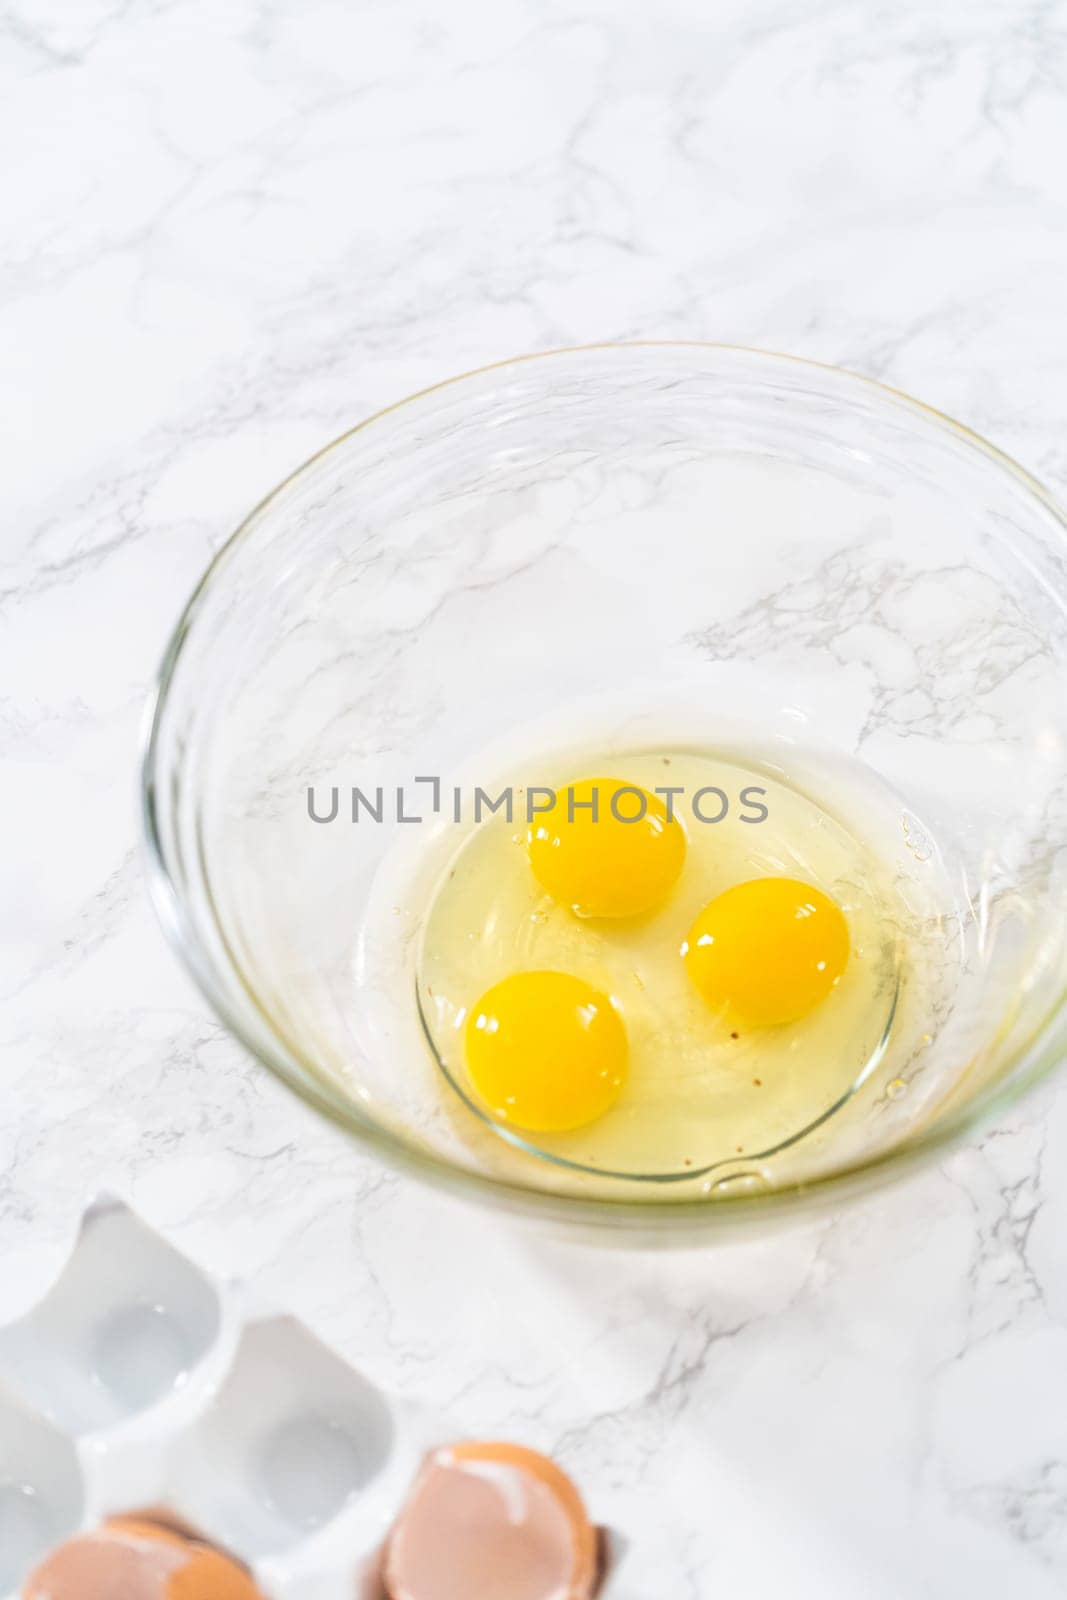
(753,550)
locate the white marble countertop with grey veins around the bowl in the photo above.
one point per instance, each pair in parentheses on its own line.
(230,233)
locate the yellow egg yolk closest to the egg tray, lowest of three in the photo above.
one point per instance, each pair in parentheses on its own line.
(546,1052)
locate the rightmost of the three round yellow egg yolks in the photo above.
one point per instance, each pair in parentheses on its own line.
(769,951)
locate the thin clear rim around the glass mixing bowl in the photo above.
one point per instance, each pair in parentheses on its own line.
(673,1220)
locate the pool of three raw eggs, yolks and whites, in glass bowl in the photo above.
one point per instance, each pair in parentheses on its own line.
(658,999)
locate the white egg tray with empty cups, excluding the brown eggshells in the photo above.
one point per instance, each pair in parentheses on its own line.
(140,1383)
